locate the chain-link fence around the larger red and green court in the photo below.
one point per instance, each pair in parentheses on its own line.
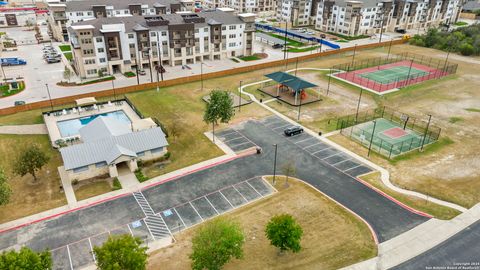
(423,67)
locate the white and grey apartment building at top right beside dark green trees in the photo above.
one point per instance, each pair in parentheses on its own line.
(368,17)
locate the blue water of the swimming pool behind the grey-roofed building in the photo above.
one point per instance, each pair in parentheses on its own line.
(71,127)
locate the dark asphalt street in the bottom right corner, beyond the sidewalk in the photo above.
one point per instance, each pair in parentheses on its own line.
(462,251)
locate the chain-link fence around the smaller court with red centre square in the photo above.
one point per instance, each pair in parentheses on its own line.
(414,133)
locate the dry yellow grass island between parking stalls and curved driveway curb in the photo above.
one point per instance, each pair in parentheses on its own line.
(333,238)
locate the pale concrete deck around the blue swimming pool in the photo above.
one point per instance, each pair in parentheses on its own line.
(51,120)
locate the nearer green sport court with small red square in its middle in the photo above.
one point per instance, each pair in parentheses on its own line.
(389,138)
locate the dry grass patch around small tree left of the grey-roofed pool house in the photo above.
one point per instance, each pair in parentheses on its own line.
(30,198)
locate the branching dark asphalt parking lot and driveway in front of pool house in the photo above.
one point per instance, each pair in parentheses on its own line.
(181,203)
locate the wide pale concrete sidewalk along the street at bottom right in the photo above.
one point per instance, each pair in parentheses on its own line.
(418,240)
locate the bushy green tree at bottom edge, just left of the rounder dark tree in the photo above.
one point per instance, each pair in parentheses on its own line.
(216,243)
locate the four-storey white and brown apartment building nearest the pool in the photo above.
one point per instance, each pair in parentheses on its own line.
(119,44)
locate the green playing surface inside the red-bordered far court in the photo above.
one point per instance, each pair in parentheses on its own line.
(385,75)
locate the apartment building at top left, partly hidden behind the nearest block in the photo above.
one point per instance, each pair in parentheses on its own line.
(63,14)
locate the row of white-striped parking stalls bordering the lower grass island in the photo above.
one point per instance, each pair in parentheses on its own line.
(78,254)
